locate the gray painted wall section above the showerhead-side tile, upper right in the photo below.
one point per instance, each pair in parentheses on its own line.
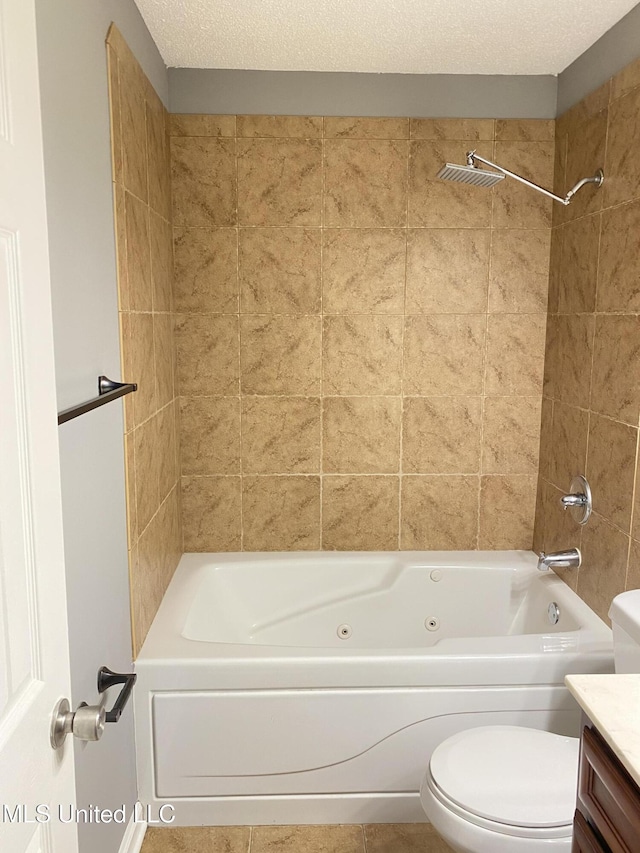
(616,48)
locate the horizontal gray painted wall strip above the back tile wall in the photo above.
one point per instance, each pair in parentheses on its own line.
(198,90)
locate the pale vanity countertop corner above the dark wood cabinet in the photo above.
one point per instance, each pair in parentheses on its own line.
(612,703)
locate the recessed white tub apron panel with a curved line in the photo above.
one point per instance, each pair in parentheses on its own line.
(327,741)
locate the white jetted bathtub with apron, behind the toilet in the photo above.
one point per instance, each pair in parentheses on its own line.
(313,687)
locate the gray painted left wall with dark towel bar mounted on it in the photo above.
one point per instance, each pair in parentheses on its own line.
(73,75)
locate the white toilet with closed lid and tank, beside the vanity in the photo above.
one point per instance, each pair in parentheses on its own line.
(510,789)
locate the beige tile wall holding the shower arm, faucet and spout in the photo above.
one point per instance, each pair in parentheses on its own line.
(591,405)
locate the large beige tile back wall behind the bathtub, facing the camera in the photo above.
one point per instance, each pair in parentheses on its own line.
(359,345)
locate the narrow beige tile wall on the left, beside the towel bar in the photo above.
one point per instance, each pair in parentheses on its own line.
(142,202)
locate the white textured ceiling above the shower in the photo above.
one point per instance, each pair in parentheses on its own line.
(405,36)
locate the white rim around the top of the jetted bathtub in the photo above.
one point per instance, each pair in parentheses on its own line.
(165,647)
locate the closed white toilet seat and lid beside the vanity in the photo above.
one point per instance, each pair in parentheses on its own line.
(512,780)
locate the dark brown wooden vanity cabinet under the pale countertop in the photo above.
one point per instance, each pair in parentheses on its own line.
(607,819)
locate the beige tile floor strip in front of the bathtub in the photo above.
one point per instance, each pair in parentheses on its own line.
(371,838)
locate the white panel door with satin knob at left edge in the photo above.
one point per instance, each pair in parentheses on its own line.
(34,658)
